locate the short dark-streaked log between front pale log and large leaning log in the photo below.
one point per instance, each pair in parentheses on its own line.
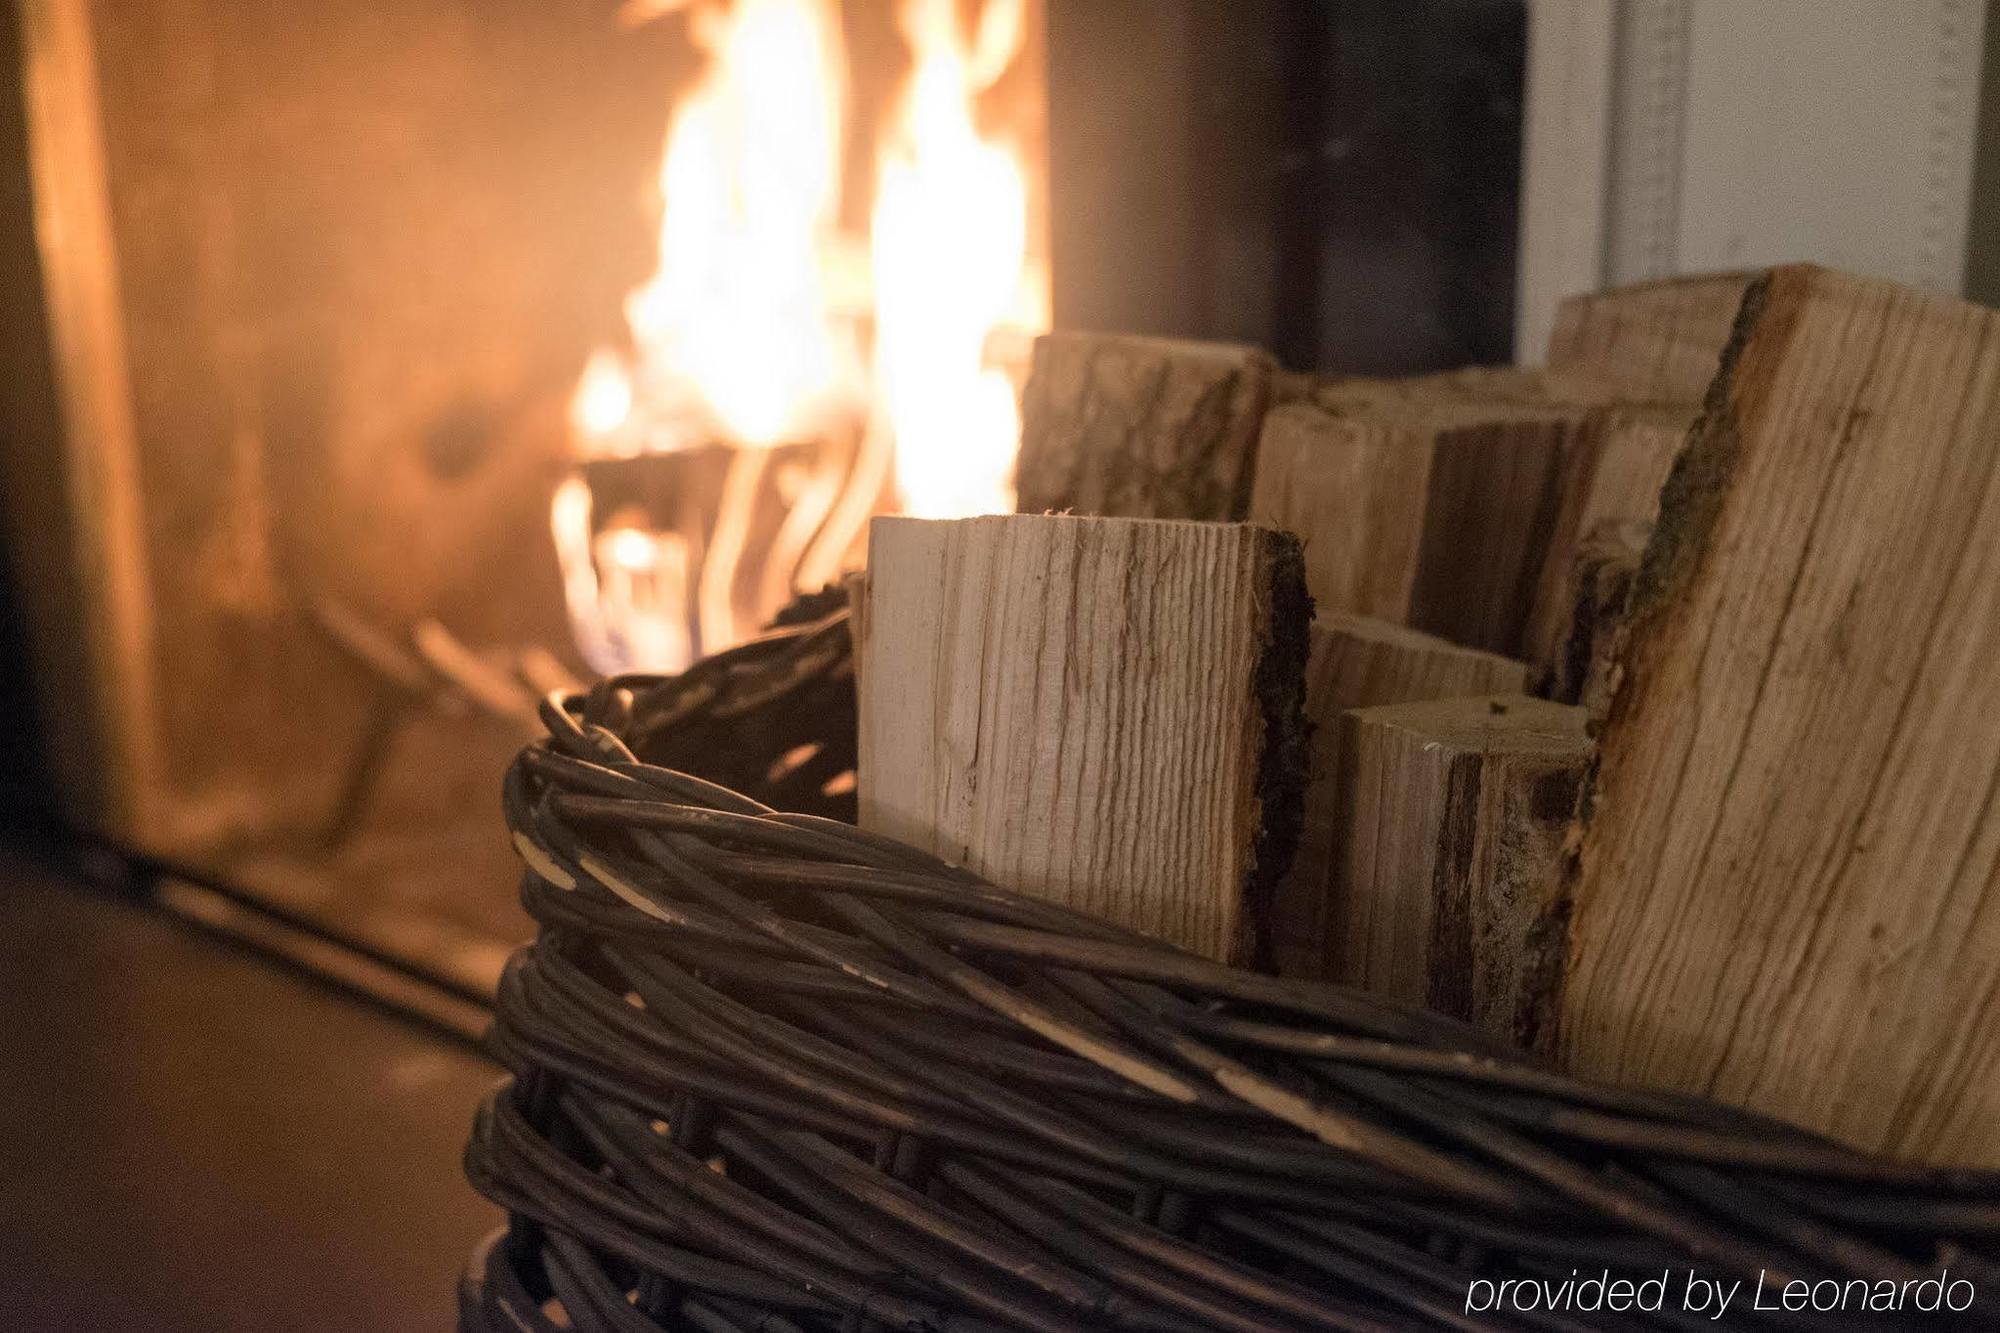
(1449,880)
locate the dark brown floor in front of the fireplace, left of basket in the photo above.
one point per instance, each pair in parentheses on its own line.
(197,1140)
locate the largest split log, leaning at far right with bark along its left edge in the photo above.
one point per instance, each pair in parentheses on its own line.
(1789,892)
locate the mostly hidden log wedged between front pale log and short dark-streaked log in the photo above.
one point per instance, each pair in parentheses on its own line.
(1359,663)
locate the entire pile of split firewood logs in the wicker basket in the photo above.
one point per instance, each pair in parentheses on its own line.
(1641,710)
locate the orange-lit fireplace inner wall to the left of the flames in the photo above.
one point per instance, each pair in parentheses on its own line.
(319,283)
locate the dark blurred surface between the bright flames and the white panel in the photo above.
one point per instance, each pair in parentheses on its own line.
(1331,179)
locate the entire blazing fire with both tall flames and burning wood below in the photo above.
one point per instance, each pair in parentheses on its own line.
(751,331)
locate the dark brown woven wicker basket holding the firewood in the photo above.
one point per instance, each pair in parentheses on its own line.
(773,1072)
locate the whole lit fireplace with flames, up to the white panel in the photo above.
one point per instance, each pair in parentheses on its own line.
(393,365)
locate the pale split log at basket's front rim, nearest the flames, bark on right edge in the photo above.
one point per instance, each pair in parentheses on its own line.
(1099,712)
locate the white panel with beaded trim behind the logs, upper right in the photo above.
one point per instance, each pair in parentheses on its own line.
(1741,135)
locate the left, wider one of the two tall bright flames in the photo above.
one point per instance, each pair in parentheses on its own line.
(733,333)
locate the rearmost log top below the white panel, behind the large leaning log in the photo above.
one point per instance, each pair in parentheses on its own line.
(1657,341)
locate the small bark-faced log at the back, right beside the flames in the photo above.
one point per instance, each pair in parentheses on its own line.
(1141,427)
